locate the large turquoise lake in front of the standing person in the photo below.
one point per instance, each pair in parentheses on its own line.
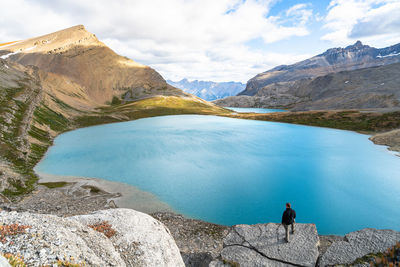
(231,171)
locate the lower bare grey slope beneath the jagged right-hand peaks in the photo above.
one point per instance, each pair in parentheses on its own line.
(375,87)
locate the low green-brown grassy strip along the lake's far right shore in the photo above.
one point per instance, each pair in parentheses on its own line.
(366,122)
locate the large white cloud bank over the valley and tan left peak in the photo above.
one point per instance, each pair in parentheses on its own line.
(196,39)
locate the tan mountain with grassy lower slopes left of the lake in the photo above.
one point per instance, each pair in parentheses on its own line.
(66,80)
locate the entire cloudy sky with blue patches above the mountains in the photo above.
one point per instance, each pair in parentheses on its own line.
(219,40)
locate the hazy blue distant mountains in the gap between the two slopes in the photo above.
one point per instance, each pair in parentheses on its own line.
(208,90)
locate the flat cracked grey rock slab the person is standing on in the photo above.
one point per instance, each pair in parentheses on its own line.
(264,245)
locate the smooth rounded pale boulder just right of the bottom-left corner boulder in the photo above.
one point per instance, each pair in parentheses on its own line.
(140,239)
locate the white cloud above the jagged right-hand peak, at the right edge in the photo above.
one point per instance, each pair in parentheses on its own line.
(376,22)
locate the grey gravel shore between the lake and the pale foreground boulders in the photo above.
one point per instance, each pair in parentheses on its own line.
(198,241)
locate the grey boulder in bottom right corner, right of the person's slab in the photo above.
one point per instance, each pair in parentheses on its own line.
(358,244)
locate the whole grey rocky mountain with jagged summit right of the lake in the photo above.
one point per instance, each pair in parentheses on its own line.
(357,76)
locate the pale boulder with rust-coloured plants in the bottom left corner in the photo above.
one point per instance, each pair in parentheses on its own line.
(50,238)
